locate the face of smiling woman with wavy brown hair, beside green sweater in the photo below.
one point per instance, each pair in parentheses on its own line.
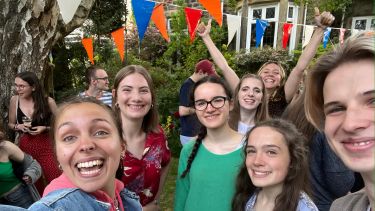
(267,157)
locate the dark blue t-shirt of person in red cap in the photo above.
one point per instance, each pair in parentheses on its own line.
(190,124)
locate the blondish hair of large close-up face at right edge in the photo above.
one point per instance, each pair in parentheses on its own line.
(359,47)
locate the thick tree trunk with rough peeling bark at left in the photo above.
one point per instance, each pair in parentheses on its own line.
(28,30)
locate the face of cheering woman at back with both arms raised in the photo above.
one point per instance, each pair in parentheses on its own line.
(271,76)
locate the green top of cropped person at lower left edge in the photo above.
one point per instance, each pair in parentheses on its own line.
(7,178)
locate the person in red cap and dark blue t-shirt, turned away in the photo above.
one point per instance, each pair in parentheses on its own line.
(189,122)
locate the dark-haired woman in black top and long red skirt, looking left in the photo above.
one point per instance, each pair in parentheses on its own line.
(30,113)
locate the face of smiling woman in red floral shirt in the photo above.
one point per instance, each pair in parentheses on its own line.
(134,96)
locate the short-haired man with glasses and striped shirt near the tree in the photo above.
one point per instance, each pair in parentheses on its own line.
(97,80)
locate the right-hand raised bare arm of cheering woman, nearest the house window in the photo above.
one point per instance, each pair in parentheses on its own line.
(322,21)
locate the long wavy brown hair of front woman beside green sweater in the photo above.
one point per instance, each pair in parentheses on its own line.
(295,180)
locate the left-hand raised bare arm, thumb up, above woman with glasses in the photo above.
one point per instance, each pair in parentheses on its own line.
(228,73)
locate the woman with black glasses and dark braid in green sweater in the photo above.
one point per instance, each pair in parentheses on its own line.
(208,166)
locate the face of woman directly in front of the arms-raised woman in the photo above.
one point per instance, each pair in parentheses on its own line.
(250,94)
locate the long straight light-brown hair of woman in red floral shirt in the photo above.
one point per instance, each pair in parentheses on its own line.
(151,120)
